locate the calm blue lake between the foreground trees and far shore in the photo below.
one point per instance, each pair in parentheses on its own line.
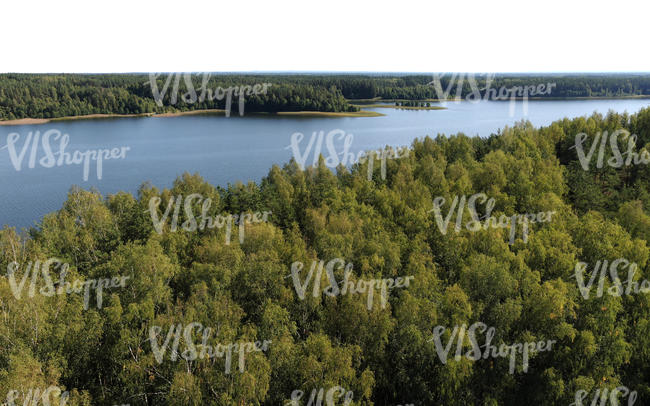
(230,149)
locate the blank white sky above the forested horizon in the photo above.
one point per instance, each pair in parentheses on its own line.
(315,35)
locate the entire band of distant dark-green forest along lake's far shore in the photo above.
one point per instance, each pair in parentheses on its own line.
(61,95)
